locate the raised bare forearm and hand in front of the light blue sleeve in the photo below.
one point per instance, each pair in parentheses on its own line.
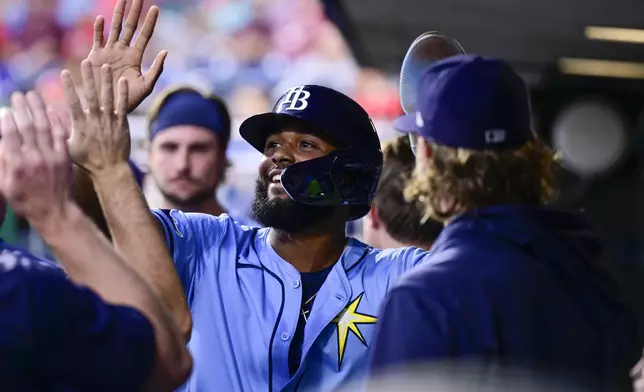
(100,144)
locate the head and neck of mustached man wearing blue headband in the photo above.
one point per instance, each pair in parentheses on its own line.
(189,134)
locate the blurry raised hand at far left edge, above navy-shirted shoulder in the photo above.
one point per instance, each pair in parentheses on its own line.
(34,161)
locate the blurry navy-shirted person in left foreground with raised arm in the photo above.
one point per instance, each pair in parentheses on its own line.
(103,330)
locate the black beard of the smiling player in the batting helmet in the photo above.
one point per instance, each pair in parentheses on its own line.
(286,214)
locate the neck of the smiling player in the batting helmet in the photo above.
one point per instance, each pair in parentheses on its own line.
(309,252)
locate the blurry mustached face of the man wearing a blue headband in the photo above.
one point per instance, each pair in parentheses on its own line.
(187,164)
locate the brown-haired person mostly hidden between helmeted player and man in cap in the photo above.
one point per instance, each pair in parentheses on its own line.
(393,222)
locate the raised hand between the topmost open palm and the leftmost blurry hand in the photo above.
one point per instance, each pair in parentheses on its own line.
(100,134)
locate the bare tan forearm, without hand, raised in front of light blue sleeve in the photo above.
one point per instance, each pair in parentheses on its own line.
(138,236)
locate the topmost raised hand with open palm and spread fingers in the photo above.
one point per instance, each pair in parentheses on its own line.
(125,60)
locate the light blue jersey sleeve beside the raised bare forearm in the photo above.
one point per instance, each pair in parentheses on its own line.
(189,237)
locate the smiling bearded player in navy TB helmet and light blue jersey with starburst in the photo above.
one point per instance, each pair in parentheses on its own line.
(288,307)
